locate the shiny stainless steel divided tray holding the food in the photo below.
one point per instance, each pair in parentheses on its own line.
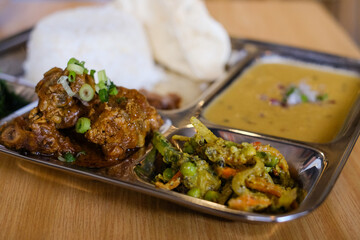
(316,166)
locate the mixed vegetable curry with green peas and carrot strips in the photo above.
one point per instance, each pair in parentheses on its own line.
(244,176)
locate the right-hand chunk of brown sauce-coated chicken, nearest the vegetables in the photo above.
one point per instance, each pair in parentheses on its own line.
(122,123)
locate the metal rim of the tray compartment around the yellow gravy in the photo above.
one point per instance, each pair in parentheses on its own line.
(286,56)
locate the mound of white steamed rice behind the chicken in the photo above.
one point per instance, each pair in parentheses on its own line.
(103,37)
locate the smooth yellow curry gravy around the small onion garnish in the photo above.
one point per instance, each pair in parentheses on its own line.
(242,104)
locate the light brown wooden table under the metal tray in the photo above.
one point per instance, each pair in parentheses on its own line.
(41,203)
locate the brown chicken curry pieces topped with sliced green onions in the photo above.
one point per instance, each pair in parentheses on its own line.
(78,121)
